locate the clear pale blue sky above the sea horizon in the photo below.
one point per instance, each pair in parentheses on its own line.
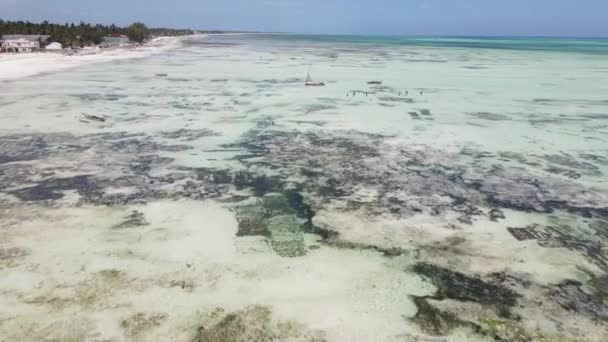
(578,18)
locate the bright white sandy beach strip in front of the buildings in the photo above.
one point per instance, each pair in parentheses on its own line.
(15,66)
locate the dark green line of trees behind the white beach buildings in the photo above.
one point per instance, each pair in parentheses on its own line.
(85,34)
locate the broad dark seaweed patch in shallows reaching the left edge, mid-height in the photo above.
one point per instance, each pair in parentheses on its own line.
(137,157)
